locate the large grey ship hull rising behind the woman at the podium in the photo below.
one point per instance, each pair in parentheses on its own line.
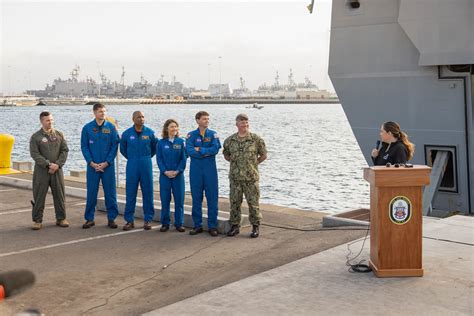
(411,62)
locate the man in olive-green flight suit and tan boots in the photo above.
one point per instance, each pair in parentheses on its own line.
(49,150)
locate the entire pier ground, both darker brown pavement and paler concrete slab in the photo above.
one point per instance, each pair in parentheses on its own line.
(294,267)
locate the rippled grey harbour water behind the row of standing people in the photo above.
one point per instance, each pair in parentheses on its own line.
(314,162)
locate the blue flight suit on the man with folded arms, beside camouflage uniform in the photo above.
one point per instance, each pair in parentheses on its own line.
(203,174)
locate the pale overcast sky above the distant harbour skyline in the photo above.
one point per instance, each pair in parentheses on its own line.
(198,42)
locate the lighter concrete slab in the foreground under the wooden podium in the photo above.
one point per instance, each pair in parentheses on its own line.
(321,285)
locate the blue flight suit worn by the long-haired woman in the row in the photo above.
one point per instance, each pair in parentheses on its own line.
(171,156)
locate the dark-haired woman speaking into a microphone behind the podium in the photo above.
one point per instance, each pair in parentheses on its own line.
(396,148)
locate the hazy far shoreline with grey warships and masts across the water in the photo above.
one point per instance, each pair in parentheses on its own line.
(73,89)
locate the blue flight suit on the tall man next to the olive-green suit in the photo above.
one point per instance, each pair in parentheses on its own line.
(100,144)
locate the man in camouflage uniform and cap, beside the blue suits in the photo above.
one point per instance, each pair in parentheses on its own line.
(244,150)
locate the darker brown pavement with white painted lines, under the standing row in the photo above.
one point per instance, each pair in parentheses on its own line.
(103,271)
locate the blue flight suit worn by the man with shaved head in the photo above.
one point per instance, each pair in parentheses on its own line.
(139,148)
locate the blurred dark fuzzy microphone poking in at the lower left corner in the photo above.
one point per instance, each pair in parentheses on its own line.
(14,282)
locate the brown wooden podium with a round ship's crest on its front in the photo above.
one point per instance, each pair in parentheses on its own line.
(396,219)
